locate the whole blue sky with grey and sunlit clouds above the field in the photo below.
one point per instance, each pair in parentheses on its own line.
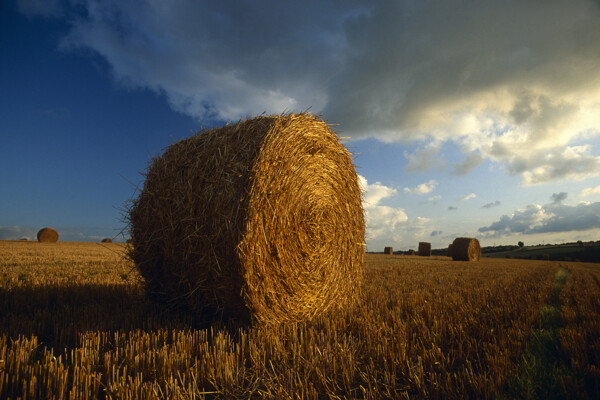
(477,118)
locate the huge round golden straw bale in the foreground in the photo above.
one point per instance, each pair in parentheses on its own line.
(261,220)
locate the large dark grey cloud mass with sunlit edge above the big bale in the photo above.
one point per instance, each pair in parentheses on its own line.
(515,82)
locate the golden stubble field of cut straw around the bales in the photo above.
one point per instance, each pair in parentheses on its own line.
(74,323)
